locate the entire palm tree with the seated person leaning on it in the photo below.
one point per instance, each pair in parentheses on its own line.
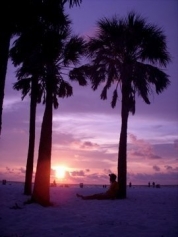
(130,54)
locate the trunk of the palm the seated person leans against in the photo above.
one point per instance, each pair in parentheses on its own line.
(122,154)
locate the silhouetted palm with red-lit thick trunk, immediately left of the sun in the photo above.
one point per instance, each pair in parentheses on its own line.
(56,86)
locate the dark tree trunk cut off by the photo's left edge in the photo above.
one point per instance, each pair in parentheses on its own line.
(4,54)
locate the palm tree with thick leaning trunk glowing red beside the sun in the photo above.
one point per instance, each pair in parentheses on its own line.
(60,50)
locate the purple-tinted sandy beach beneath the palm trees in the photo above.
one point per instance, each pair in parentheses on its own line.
(147,212)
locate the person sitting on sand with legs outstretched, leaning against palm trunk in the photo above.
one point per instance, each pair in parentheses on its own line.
(111,193)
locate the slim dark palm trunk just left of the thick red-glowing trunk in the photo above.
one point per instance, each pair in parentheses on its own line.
(31,146)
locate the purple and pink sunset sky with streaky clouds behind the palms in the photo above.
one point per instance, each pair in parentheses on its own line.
(86,129)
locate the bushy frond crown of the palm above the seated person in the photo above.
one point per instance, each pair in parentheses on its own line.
(128,51)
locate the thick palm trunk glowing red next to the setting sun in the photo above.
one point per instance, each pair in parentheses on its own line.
(41,189)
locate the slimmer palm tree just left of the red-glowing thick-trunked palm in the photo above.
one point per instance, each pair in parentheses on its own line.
(26,52)
